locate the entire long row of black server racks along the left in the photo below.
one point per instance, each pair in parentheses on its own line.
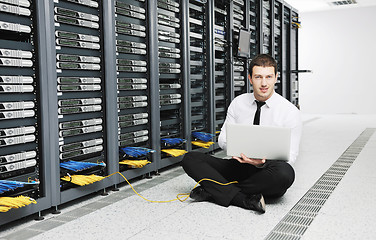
(125,93)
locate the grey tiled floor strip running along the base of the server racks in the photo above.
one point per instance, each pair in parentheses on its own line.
(67,214)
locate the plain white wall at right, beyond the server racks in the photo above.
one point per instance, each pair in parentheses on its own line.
(340,47)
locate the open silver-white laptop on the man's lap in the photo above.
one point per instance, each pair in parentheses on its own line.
(255,141)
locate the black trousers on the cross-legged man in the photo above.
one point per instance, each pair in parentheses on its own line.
(272,181)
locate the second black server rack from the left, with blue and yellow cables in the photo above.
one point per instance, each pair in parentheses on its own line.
(78,109)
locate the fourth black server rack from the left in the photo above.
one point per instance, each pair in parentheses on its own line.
(171,79)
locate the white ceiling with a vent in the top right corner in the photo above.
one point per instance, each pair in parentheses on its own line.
(324,5)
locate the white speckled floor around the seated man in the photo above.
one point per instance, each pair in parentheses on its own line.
(348,211)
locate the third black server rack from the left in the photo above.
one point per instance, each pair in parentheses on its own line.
(134,79)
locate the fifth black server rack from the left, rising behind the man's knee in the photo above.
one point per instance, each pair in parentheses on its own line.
(200,85)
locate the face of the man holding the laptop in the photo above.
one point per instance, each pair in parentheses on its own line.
(263,80)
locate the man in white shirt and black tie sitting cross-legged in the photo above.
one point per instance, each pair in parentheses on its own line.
(256,177)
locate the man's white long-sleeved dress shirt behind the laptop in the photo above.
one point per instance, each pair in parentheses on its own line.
(277,111)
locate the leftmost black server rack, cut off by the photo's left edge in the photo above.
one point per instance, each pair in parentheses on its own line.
(23,123)
